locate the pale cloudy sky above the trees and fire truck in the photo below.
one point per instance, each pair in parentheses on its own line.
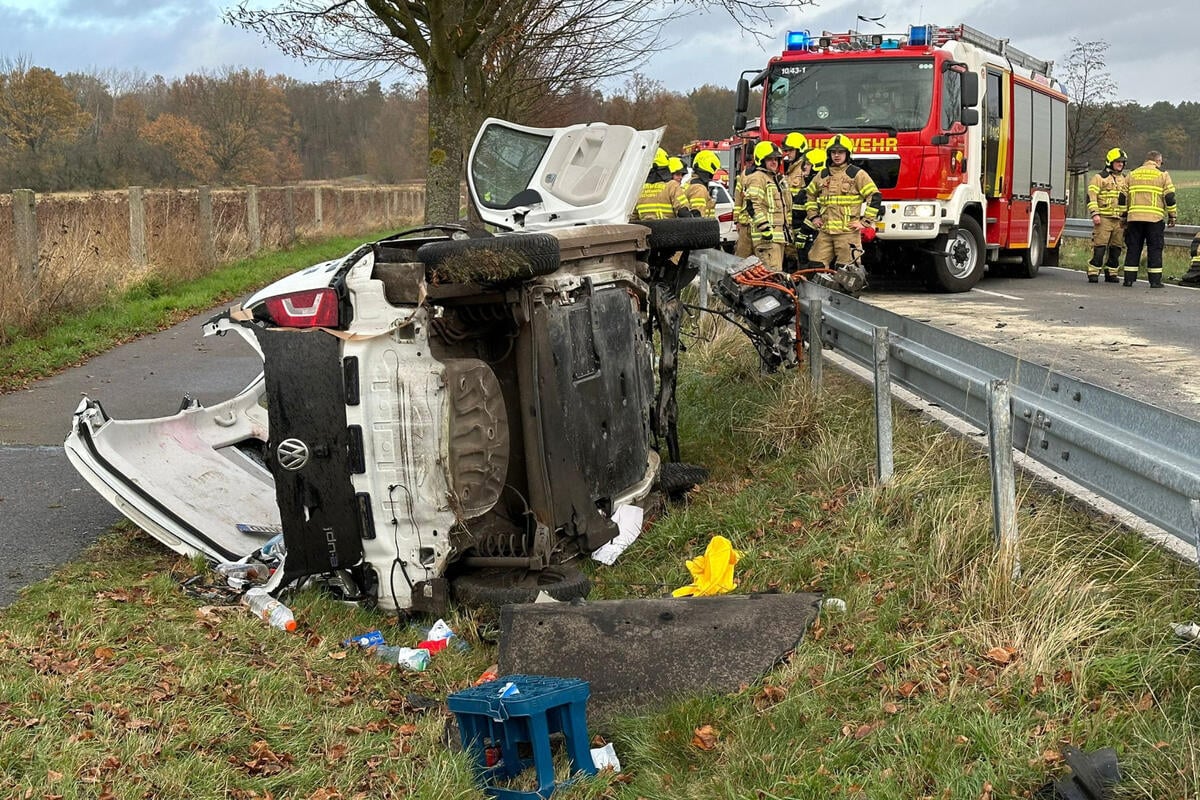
(1151,57)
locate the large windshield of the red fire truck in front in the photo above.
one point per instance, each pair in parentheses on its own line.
(831,95)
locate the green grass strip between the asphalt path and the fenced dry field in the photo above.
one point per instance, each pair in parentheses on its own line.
(67,340)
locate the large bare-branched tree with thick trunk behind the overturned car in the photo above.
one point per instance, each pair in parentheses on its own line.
(482,57)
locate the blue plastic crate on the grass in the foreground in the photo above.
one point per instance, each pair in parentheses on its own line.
(541,707)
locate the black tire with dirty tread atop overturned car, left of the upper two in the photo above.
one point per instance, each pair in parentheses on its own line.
(491,260)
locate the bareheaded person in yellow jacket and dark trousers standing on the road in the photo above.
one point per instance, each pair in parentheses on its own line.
(1151,200)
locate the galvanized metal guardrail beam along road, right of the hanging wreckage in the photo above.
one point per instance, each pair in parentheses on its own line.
(1141,458)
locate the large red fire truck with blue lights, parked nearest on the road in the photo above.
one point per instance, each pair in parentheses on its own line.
(965,136)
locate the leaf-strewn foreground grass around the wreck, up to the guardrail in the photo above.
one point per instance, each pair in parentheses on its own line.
(940,681)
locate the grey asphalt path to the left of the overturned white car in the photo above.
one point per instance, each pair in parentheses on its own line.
(47,513)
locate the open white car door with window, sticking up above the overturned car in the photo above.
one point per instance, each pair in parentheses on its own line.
(526,178)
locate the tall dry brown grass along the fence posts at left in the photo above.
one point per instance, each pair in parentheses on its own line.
(85,240)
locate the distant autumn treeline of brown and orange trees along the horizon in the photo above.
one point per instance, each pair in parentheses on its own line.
(239,127)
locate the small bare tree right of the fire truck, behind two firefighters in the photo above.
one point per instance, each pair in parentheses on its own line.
(1095,118)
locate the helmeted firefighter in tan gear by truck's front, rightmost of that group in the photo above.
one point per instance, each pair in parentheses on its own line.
(835,206)
